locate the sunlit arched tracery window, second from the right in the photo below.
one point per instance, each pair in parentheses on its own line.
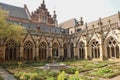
(95,50)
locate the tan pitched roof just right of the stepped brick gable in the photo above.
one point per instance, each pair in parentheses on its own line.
(69,23)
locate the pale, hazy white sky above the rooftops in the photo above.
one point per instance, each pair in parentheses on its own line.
(90,10)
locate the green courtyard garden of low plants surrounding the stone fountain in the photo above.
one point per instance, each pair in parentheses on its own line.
(75,70)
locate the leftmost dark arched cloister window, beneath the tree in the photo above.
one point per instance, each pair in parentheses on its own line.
(11,50)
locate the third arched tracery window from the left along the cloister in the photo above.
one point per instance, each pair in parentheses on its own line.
(42,51)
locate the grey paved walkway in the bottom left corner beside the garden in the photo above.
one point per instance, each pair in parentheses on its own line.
(6,75)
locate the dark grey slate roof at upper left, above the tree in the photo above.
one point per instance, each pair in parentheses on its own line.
(14,11)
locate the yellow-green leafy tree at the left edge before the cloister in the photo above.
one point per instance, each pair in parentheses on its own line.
(9,30)
